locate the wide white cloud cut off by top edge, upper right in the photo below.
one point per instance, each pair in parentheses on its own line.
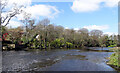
(91,5)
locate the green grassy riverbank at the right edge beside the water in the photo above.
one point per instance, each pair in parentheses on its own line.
(114,59)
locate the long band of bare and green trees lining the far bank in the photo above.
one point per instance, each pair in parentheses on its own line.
(43,35)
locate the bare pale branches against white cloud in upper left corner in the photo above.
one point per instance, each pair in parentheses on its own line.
(8,14)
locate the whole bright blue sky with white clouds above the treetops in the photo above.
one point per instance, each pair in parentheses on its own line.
(74,14)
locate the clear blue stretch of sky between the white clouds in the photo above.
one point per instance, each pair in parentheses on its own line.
(67,18)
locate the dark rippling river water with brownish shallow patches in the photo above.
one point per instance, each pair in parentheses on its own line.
(56,60)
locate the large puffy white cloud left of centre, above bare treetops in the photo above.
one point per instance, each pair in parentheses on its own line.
(42,10)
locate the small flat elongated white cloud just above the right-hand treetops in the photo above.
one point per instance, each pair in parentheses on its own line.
(98,27)
